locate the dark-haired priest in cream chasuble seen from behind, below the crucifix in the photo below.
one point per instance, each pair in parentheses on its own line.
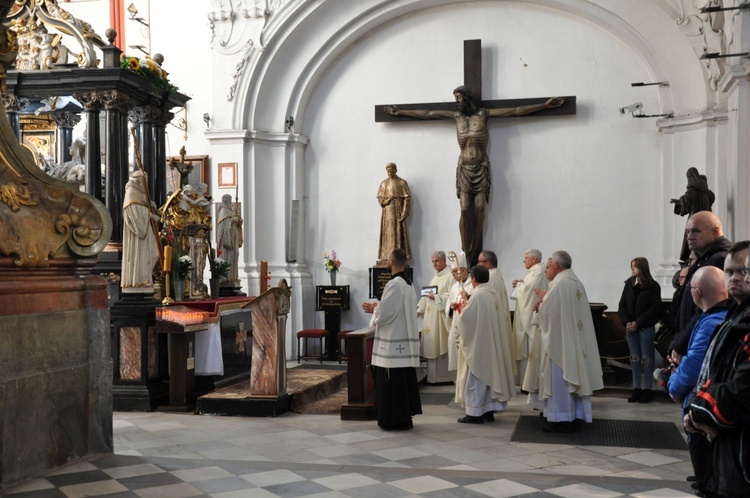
(484,382)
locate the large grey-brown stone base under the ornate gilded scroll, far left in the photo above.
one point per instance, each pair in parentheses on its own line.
(55,368)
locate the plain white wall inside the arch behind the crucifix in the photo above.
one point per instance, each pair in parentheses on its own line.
(590,184)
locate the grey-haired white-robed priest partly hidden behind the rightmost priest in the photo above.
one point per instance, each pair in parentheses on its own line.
(525,324)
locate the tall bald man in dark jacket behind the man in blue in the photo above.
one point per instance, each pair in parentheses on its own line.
(705,237)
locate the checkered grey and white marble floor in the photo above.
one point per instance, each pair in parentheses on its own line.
(174,455)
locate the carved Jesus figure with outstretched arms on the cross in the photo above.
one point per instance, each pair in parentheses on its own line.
(473,171)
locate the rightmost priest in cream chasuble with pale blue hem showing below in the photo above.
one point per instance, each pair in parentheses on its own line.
(570,369)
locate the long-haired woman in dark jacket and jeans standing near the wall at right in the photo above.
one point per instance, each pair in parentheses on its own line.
(639,311)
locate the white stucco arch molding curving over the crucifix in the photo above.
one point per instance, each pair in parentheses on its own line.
(356,19)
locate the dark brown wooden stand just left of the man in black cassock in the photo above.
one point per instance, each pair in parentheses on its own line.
(360,380)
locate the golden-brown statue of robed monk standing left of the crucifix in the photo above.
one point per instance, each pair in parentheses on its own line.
(395,199)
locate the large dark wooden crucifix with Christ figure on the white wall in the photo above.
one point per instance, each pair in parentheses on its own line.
(471,114)
